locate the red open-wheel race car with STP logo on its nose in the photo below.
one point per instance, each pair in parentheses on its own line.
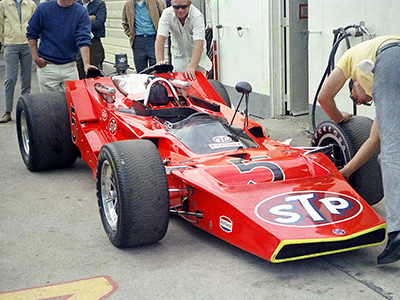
(159,144)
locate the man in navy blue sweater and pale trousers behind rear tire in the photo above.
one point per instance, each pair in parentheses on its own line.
(63,28)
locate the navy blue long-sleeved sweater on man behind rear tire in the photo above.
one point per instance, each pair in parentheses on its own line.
(62,31)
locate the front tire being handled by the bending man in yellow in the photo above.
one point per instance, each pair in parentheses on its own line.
(349,136)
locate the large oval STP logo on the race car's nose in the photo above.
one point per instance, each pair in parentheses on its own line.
(308,209)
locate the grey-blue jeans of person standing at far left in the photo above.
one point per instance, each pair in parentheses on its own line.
(15,55)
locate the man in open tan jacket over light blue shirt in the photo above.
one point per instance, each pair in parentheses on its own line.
(140,21)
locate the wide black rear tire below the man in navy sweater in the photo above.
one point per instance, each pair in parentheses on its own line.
(44,132)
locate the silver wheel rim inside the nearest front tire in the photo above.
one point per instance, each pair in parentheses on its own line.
(109,196)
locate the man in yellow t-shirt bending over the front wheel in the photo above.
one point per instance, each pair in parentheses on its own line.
(374,68)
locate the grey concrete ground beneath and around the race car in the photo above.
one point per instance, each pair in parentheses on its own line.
(51,234)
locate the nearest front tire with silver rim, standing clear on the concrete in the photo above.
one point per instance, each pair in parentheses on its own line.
(132,191)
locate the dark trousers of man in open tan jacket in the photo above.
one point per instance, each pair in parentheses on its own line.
(144,53)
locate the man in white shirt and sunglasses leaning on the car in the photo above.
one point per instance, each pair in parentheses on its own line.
(186,25)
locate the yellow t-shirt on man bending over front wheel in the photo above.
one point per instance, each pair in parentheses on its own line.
(353,56)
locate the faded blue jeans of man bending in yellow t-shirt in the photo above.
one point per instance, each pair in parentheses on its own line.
(386,94)
